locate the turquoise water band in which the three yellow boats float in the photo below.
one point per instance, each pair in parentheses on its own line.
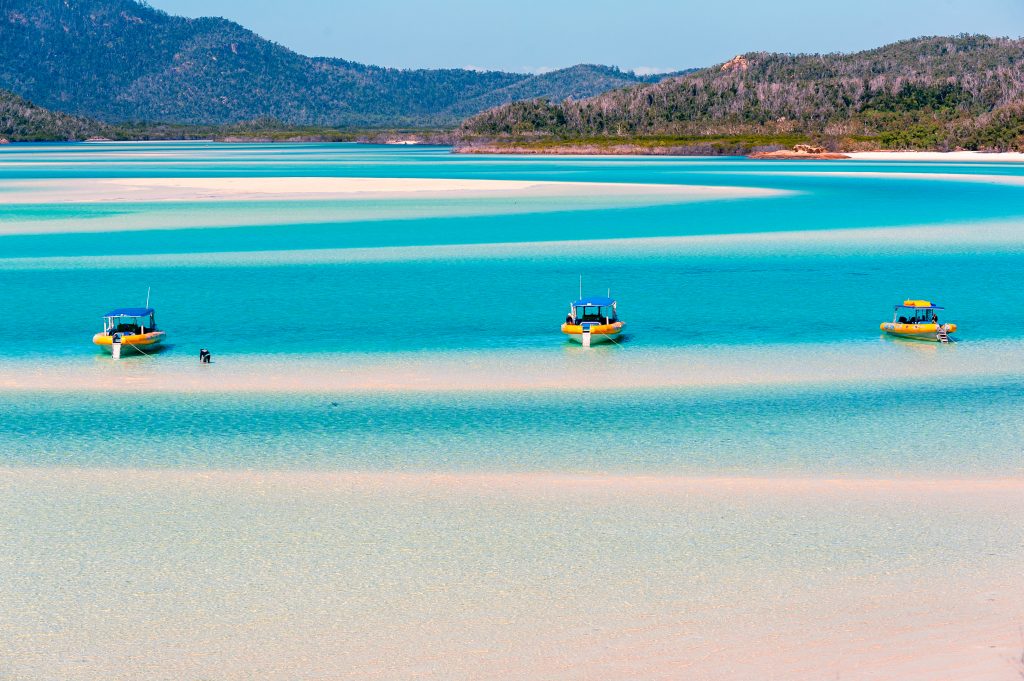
(517,304)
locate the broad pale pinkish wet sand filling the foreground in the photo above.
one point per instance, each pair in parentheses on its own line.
(170,575)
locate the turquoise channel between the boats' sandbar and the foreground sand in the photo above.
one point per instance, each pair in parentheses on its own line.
(861,432)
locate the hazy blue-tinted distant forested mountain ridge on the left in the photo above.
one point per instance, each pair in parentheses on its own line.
(122,61)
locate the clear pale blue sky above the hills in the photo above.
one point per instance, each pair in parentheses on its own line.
(537,35)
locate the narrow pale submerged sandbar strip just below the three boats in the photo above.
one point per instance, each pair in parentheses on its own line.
(565,368)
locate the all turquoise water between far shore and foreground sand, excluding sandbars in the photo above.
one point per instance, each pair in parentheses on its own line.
(334,279)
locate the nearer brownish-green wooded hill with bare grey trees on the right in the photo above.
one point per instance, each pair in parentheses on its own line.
(923,94)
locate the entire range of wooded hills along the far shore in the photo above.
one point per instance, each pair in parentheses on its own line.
(129,72)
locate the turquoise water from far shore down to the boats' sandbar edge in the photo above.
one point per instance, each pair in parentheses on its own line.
(458,301)
